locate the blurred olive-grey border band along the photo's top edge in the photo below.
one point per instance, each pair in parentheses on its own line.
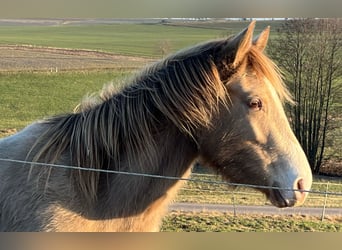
(168,8)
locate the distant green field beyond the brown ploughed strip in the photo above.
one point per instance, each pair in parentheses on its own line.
(127,39)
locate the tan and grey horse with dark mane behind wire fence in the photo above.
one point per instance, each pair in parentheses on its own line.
(220,103)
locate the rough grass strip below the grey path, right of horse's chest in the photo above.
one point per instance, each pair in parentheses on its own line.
(218,222)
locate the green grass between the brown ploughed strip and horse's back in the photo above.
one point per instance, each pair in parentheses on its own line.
(26,97)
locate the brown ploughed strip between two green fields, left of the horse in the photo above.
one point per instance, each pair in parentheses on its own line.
(35,58)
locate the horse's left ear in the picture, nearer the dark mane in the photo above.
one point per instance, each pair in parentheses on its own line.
(242,42)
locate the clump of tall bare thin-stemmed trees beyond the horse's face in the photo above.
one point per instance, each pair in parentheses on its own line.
(309,53)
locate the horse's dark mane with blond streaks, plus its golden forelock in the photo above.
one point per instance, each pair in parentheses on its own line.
(117,129)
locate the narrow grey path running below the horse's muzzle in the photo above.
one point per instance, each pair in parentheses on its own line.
(240,209)
